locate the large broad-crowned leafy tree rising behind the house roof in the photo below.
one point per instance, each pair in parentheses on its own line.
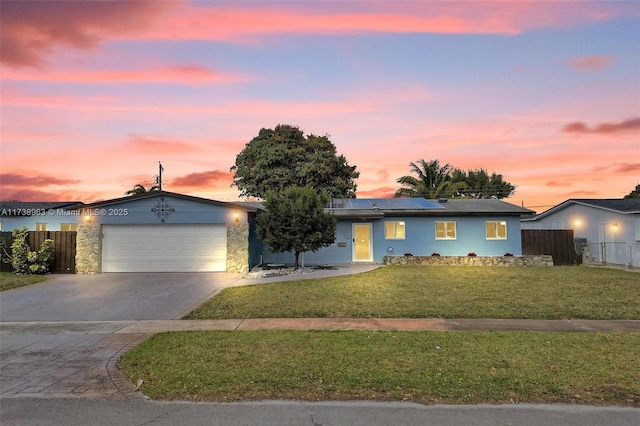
(282,157)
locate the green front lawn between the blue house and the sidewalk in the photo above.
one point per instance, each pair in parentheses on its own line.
(445,292)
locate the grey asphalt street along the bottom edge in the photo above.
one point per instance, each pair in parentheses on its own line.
(83,412)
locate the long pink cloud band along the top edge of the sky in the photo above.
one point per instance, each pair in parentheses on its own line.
(32,29)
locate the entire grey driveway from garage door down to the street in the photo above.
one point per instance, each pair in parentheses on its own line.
(46,363)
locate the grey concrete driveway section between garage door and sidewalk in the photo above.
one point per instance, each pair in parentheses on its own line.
(112,297)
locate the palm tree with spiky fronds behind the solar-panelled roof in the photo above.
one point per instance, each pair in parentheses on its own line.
(433,181)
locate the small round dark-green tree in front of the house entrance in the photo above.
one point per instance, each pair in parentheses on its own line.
(294,220)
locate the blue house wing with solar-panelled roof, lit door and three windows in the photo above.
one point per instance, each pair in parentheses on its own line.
(369,229)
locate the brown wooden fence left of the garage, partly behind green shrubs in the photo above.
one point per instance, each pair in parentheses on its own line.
(64,261)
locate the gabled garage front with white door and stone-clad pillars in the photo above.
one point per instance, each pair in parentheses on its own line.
(163,232)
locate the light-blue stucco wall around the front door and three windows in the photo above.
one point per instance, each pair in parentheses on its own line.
(419,240)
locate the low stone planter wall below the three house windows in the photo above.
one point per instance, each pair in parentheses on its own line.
(537,260)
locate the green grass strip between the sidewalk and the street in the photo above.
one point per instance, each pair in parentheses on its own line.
(426,367)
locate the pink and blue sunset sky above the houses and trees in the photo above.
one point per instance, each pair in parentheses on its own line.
(94,94)
